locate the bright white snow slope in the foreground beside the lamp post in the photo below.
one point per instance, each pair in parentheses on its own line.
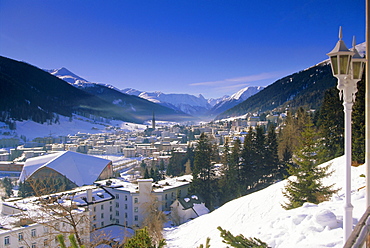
(260,215)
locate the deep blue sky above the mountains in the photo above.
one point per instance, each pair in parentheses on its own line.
(178,46)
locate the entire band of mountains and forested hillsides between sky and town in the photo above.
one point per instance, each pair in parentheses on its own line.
(43,96)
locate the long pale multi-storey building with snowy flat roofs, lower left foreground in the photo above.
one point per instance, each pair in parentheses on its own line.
(109,202)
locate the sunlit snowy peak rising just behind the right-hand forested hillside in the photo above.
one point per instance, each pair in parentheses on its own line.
(235,99)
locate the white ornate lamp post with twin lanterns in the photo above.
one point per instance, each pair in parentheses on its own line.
(347,67)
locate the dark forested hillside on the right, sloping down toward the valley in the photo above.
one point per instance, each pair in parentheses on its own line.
(302,89)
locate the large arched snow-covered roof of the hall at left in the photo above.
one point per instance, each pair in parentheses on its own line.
(80,168)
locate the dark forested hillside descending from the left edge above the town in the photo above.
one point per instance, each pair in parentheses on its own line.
(29,93)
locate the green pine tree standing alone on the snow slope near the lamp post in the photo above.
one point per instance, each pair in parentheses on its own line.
(306,185)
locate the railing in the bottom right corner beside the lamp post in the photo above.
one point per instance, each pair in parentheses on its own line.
(360,237)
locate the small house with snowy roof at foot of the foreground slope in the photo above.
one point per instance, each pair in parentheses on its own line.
(187,208)
